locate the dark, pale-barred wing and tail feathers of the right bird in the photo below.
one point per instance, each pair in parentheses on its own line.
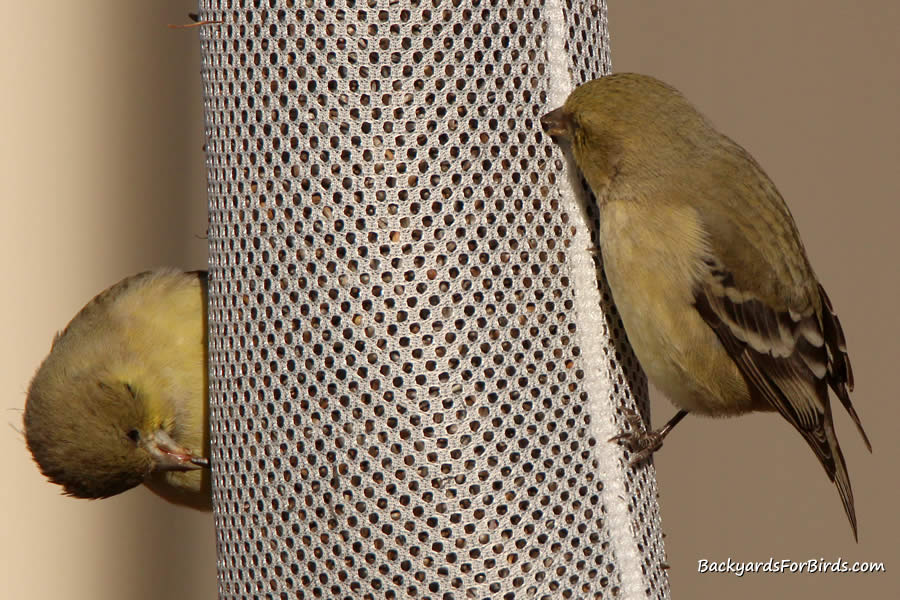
(789,356)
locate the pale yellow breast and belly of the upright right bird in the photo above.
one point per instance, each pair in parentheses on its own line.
(653,292)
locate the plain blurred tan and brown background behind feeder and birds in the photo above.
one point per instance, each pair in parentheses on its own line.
(102,175)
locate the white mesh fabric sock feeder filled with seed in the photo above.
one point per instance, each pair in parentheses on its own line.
(414,364)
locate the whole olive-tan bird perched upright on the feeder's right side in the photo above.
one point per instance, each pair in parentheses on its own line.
(706,267)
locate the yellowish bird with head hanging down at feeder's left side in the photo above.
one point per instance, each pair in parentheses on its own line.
(122,397)
